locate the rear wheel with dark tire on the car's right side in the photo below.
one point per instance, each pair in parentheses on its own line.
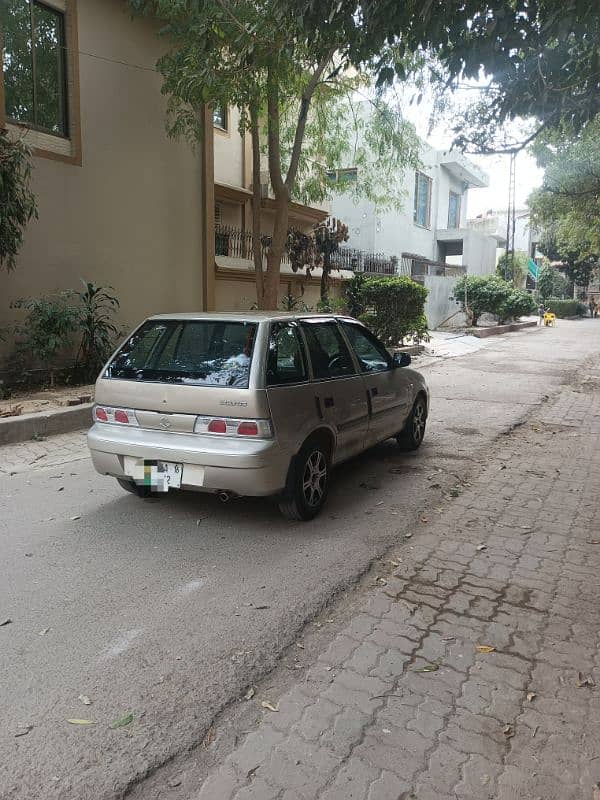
(308,482)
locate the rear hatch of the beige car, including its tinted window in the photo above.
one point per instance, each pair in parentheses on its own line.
(172,371)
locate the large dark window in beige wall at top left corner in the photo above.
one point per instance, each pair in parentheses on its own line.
(34,66)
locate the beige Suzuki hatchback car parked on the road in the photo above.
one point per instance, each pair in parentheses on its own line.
(250,404)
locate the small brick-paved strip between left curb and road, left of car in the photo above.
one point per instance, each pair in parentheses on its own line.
(50,452)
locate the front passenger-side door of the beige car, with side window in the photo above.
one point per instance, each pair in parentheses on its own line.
(388,387)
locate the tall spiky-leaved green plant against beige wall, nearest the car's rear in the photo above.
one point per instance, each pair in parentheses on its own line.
(98,330)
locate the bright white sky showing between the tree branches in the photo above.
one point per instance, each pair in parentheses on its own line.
(494,197)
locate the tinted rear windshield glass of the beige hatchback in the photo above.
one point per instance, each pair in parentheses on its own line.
(196,352)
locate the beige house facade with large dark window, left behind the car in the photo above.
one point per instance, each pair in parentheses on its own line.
(120,203)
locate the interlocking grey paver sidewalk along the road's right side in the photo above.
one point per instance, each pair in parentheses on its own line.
(472,674)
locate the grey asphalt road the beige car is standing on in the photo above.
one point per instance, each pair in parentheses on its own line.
(169,609)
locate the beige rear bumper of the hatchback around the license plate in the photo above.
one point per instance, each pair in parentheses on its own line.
(210,463)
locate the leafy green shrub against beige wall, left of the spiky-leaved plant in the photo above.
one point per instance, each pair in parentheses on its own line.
(48,329)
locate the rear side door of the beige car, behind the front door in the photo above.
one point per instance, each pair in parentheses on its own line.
(338,390)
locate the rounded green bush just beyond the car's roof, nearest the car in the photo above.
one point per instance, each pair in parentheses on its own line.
(392,307)
